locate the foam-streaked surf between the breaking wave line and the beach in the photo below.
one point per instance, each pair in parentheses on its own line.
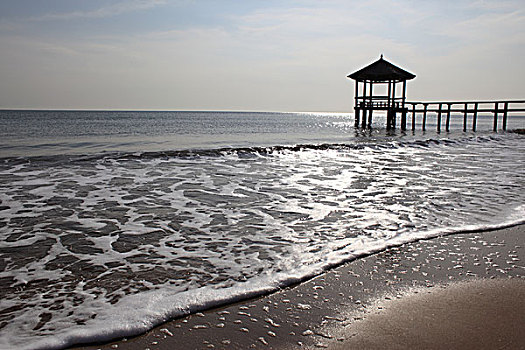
(121,244)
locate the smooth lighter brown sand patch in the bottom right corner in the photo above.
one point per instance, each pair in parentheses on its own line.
(478,314)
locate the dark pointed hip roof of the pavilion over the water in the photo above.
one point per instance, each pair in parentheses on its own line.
(381,70)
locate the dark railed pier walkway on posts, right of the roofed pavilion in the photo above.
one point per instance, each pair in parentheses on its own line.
(444,109)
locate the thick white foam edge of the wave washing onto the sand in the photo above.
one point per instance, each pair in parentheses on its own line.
(158,307)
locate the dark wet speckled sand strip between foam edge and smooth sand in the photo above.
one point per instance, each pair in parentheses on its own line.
(318,312)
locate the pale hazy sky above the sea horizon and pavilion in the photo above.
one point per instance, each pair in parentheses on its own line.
(262,55)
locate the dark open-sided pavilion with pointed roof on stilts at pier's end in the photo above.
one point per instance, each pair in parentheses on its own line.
(377,73)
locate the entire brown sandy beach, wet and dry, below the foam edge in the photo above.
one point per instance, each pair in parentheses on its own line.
(464,291)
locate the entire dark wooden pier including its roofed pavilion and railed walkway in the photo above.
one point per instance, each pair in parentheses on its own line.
(385,75)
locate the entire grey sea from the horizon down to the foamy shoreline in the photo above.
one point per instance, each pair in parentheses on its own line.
(112,222)
